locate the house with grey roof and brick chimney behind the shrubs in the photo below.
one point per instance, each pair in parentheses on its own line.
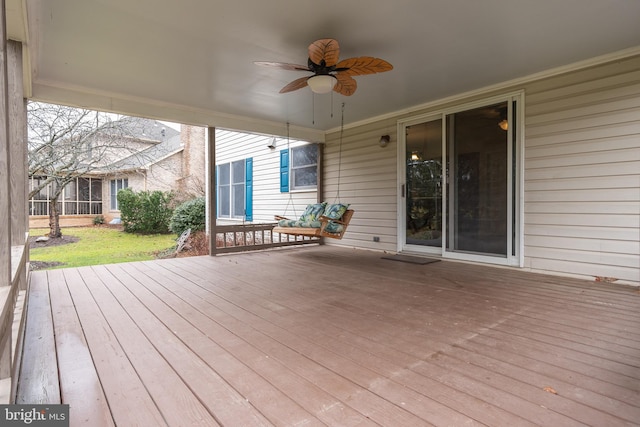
(158,158)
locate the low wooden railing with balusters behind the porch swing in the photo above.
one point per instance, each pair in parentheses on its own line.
(248,237)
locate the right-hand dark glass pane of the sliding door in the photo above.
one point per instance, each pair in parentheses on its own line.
(477,192)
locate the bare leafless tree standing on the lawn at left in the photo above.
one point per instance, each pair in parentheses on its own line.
(65,143)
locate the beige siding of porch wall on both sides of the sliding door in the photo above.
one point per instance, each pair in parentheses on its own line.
(581,173)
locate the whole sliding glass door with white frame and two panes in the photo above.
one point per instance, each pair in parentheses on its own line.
(459,184)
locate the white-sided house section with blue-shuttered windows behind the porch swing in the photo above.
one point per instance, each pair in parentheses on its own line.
(259,176)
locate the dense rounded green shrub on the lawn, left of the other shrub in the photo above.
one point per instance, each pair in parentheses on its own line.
(145,212)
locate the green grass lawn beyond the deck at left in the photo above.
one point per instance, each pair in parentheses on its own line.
(98,245)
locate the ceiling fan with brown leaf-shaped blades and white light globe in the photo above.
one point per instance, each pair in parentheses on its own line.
(329,73)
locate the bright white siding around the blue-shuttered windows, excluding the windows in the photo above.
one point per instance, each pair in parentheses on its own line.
(267,198)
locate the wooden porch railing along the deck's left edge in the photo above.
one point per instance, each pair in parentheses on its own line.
(12,310)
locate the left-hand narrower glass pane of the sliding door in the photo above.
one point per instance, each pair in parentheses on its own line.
(423,156)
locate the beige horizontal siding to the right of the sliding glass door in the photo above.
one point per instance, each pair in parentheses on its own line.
(582,173)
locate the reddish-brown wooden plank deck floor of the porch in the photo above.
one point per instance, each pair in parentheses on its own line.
(325,336)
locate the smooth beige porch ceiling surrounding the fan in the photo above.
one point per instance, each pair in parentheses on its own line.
(192,61)
